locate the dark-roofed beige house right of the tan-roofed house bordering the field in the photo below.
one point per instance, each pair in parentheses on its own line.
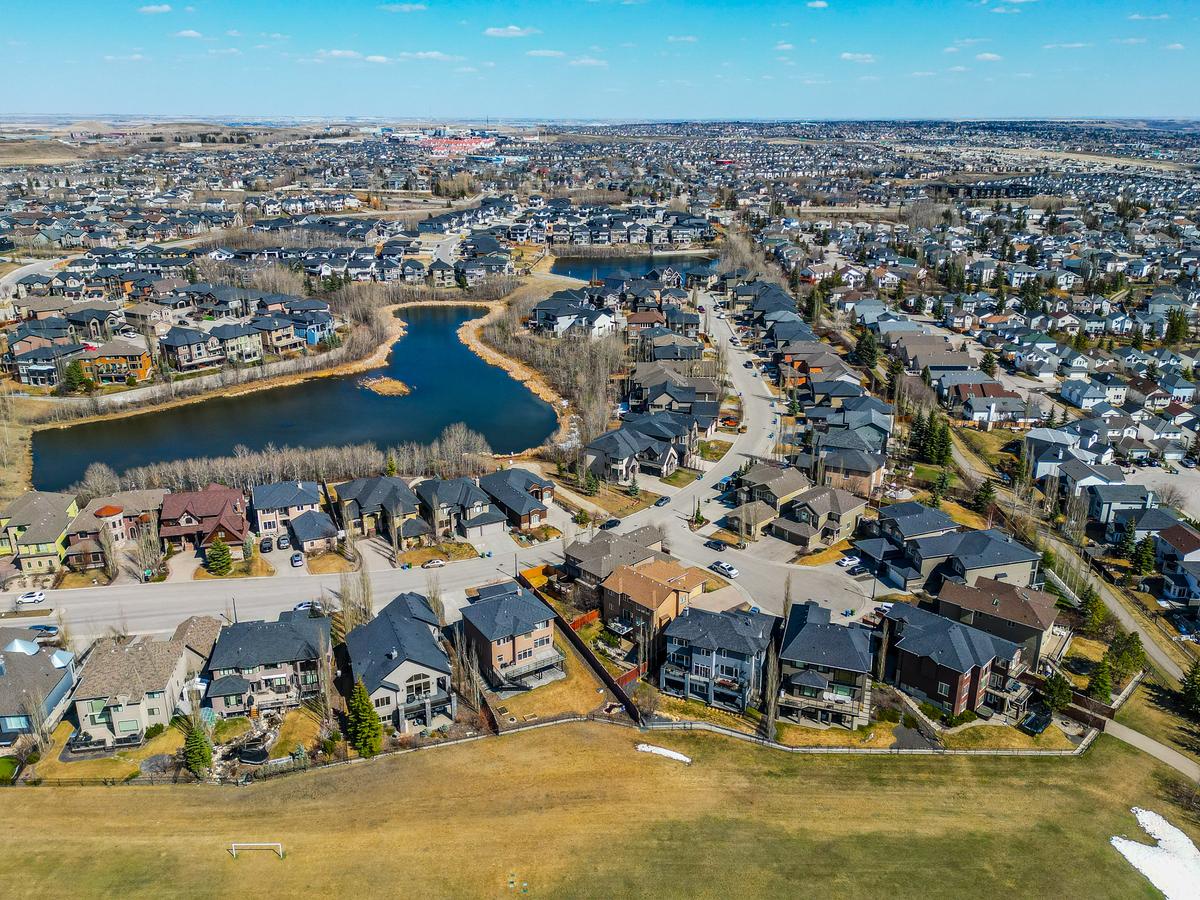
(260,665)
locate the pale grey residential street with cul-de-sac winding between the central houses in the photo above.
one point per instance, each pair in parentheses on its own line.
(158,609)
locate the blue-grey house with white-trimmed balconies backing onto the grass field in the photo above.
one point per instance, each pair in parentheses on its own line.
(717,658)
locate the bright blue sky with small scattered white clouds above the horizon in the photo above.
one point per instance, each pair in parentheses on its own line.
(584,59)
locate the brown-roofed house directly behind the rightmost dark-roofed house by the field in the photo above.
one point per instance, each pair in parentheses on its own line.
(1016,614)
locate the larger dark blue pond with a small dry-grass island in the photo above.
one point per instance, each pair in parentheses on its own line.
(451,385)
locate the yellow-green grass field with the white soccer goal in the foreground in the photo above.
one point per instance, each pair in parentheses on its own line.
(577,812)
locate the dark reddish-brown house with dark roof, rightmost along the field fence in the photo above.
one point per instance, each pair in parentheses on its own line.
(955,667)
